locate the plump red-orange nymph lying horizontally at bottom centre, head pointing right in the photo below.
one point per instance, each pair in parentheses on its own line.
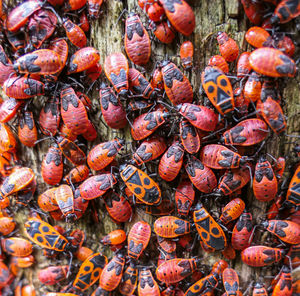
(175,270)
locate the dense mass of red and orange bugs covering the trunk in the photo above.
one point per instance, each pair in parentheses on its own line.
(194,160)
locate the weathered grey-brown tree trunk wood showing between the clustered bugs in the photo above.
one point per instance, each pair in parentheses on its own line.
(107,36)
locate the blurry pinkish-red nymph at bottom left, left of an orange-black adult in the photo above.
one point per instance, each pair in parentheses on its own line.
(53,274)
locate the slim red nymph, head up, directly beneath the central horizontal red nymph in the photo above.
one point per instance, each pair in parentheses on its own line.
(189,136)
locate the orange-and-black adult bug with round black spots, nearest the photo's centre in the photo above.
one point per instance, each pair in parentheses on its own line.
(140,184)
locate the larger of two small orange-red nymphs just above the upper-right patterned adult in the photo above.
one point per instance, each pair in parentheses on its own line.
(228,47)
